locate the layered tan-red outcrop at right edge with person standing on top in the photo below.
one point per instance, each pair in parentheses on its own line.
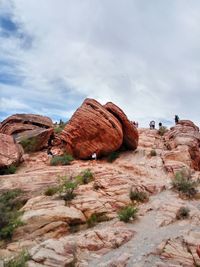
(183,144)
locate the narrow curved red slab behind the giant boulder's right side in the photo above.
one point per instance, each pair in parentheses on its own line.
(130,133)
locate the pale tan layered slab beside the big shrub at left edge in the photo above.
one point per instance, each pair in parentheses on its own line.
(45,218)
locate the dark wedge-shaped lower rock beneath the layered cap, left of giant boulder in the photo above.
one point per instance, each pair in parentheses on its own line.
(34,140)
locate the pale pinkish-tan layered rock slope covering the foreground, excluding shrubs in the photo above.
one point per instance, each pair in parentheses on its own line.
(56,232)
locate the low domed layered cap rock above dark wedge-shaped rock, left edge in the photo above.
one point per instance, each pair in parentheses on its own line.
(23,122)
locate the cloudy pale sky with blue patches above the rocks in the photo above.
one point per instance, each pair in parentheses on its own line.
(142,55)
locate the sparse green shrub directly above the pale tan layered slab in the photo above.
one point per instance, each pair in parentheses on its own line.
(66,189)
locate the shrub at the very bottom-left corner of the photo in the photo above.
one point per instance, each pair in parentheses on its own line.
(19,261)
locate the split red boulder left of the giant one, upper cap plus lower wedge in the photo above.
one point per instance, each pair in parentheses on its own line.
(34,130)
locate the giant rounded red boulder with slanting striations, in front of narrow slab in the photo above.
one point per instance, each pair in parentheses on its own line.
(92,129)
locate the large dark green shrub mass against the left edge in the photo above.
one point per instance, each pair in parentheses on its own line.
(10,203)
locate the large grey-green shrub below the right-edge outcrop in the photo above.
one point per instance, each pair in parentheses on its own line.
(184,184)
